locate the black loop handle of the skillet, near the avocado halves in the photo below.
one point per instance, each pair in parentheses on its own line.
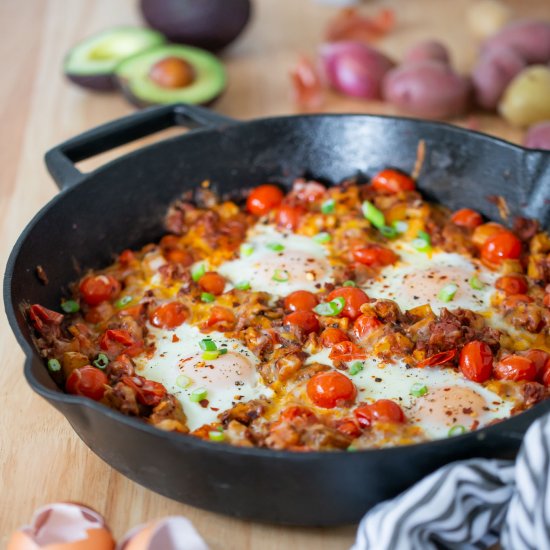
(60,160)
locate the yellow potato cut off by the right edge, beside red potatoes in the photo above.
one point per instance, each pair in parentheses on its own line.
(526,100)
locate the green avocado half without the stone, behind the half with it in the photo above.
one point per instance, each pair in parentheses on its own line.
(92,62)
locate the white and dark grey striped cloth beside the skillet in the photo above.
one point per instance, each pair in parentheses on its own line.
(470,505)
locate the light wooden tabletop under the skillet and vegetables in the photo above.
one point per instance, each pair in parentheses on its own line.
(41,459)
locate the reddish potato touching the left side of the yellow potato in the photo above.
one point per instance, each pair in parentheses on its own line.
(494,70)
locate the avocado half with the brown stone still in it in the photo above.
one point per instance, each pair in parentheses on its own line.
(171,74)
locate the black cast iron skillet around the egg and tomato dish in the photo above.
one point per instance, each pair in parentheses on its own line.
(122,205)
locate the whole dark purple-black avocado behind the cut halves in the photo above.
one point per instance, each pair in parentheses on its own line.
(208,24)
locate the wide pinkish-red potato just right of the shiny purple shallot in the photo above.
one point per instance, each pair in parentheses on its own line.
(427,89)
